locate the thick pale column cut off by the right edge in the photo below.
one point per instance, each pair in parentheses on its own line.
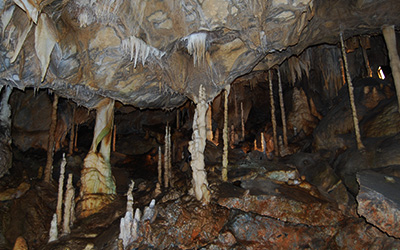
(390,39)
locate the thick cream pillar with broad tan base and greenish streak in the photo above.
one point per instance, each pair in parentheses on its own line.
(97,182)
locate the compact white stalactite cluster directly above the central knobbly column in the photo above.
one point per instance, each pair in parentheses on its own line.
(196,46)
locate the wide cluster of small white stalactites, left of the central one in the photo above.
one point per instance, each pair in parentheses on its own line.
(140,51)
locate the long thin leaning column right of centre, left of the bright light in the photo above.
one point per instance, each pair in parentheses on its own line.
(351,94)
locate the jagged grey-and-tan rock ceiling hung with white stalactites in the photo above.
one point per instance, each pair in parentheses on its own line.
(156,54)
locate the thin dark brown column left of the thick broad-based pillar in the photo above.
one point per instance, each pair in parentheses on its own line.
(50,148)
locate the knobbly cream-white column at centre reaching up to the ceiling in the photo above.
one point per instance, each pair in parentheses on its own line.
(196,148)
